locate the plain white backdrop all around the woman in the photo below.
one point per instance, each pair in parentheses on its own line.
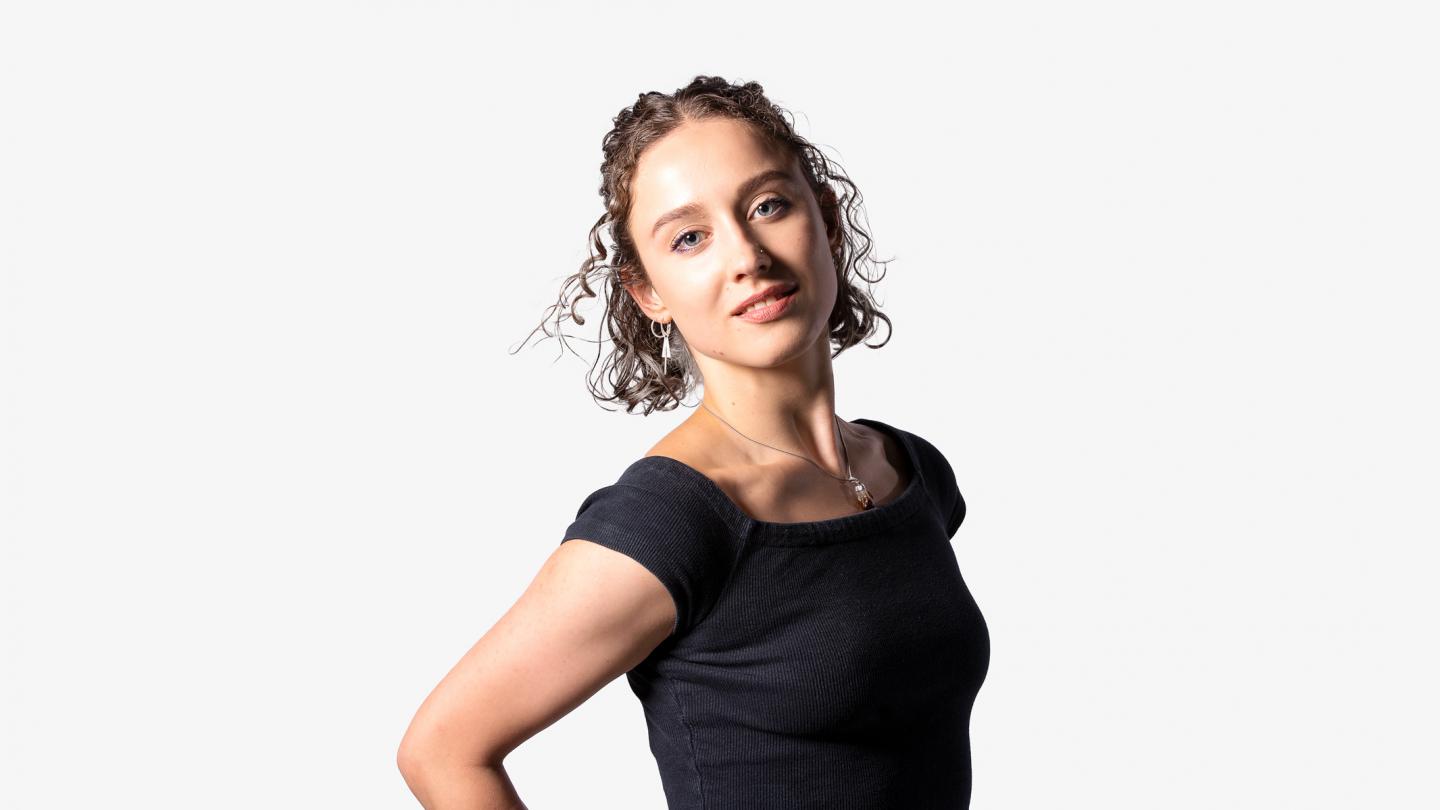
(1163,288)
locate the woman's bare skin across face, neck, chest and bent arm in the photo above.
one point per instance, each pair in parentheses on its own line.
(591,613)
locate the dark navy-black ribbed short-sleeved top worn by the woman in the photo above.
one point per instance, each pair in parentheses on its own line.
(830,664)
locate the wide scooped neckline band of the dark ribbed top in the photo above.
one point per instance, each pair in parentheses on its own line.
(811,533)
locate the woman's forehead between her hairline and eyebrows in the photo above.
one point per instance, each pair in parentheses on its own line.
(702,161)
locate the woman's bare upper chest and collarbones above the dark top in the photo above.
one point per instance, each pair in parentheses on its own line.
(791,491)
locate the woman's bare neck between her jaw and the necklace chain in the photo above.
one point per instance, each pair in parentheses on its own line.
(791,407)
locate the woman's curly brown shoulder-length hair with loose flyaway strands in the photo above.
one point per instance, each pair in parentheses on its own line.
(633,373)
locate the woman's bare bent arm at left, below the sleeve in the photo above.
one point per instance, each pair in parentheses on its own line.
(590,616)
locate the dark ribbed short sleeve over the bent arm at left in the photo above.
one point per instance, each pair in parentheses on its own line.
(673,533)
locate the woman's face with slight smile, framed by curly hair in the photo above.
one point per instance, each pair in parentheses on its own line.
(706,201)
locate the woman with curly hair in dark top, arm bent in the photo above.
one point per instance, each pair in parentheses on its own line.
(777,584)
